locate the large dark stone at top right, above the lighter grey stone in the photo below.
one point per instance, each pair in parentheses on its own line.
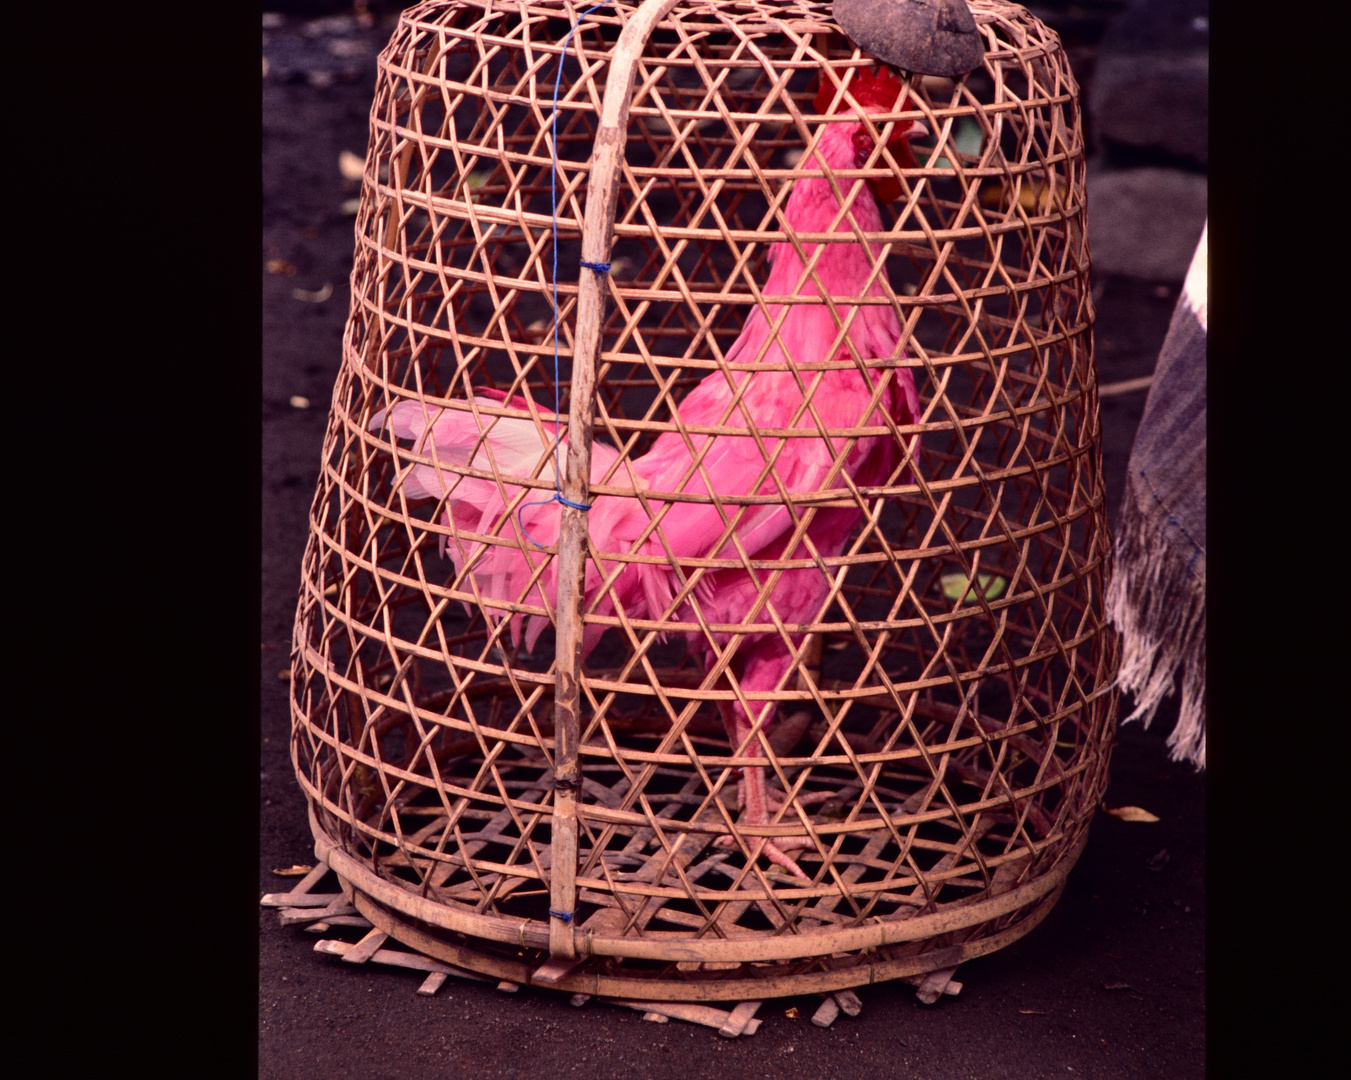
(1150,86)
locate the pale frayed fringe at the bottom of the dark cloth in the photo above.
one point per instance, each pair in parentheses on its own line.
(1160,613)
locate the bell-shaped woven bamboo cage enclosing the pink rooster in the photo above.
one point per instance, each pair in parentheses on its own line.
(568,814)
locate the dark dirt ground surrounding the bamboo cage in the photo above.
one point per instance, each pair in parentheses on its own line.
(1134,913)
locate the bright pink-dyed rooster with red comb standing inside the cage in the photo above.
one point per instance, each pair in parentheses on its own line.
(725,467)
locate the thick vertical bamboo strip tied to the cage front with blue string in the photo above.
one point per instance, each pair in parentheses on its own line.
(598,236)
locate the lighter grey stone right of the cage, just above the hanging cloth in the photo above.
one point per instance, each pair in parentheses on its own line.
(1145,222)
